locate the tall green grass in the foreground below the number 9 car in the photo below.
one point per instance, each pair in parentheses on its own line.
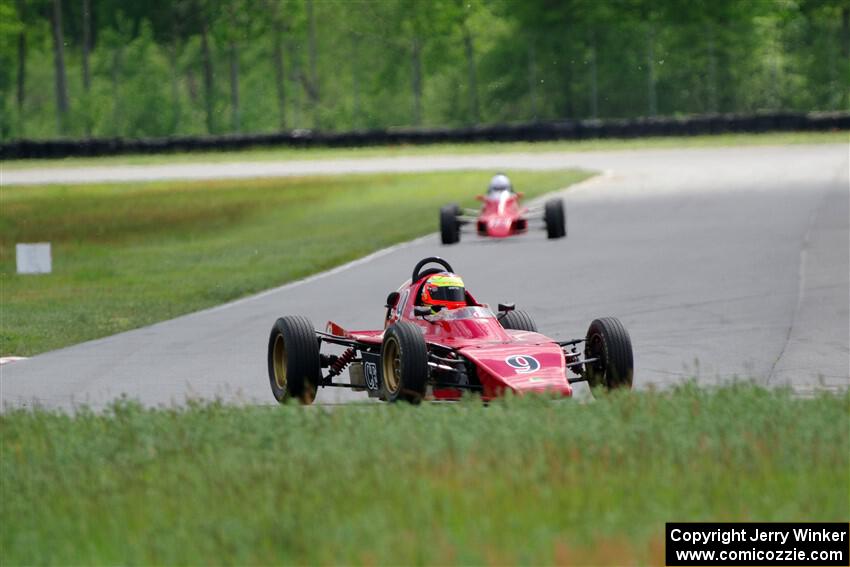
(522,481)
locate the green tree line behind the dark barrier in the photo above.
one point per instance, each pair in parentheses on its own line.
(81,68)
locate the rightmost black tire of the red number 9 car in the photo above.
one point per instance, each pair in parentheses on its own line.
(608,340)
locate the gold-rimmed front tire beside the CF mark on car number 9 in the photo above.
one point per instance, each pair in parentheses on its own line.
(404,360)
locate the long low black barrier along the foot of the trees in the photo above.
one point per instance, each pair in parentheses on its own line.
(520,132)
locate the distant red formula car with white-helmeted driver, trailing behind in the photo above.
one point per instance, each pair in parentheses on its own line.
(502,215)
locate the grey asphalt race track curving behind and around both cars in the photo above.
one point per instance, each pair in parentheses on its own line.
(720,262)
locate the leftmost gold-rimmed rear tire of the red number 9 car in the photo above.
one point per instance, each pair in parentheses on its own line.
(294,364)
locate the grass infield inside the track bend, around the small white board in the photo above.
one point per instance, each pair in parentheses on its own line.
(132,254)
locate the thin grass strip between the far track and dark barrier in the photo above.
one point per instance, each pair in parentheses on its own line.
(266,154)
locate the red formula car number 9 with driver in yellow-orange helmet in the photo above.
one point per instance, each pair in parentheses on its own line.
(438,342)
